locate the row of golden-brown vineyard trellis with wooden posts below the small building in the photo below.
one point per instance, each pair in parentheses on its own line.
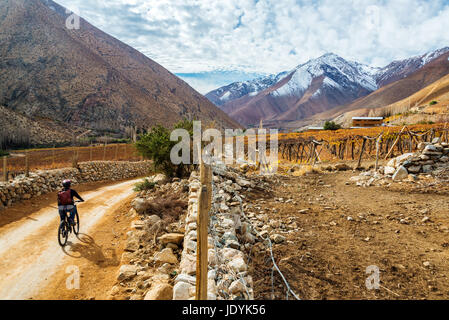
(385,144)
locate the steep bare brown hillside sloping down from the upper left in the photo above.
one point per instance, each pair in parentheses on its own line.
(85,77)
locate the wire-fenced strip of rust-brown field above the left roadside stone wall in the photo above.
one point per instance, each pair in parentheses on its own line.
(23,161)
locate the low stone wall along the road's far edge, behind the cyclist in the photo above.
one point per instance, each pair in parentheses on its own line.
(41,182)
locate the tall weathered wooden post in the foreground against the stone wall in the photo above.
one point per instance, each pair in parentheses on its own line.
(204,203)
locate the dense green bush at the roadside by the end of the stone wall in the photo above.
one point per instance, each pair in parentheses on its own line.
(156,145)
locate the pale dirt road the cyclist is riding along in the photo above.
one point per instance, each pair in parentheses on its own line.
(30,256)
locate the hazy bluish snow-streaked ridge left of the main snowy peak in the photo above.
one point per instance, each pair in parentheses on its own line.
(237,90)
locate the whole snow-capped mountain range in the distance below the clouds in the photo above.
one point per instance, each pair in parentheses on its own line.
(313,87)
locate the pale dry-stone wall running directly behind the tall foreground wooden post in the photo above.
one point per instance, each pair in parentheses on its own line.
(228,277)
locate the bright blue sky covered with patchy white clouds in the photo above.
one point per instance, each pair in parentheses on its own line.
(210,43)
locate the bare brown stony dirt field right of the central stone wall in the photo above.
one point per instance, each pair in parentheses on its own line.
(347,229)
